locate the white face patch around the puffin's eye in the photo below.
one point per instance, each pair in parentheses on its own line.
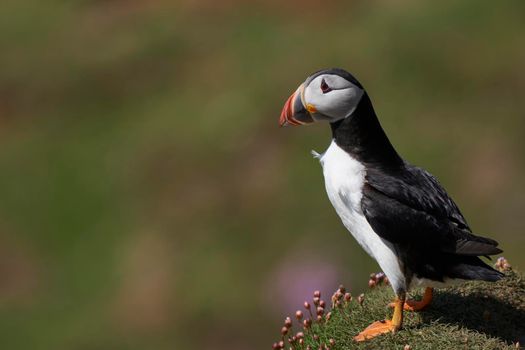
(338,102)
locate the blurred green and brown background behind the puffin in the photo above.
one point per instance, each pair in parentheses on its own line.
(148,199)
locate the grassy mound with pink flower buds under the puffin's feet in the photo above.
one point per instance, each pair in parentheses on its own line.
(473,315)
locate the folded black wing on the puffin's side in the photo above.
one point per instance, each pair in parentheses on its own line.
(409,205)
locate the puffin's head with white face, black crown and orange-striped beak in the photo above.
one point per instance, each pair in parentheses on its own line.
(330,94)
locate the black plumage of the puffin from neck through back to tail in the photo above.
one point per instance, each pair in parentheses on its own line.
(407,206)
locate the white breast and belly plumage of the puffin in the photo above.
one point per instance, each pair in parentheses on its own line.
(344,179)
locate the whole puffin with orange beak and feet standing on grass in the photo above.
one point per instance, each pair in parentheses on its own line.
(397,212)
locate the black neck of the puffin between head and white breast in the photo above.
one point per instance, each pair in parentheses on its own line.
(361,135)
